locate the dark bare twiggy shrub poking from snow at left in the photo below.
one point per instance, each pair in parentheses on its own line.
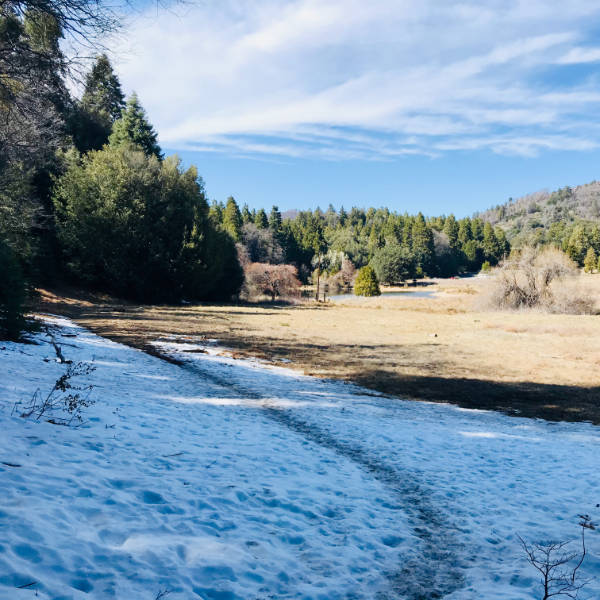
(64,403)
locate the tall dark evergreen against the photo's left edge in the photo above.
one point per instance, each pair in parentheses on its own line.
(33,104)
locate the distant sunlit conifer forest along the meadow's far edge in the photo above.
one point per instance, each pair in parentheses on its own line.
(397,246)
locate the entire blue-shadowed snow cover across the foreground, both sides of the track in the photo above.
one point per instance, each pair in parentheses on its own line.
(225,479)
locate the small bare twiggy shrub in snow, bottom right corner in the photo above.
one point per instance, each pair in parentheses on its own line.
(559,566)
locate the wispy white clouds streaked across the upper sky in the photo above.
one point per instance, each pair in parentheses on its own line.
(340,79)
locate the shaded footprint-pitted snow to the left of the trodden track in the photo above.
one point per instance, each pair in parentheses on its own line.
(247,510)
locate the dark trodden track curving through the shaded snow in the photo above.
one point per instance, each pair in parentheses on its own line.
(435,569)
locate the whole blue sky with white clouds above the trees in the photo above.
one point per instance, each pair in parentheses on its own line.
(438,106)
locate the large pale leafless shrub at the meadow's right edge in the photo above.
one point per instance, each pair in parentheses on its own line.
(535,278)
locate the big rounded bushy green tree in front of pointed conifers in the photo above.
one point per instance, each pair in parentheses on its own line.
(148,220)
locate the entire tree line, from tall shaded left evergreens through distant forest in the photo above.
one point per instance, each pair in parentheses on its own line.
(87,196)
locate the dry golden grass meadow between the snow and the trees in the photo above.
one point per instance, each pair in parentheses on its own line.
(443,349)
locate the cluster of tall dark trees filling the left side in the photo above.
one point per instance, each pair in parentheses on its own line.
(86,195)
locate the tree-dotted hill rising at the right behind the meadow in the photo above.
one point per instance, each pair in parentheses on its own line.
(565,216)
